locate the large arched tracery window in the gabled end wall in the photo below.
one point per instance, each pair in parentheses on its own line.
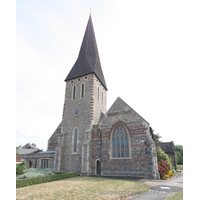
(120,143)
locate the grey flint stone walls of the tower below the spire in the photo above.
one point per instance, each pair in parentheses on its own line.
(81,113)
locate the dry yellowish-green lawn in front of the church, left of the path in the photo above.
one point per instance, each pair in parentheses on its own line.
(81,188)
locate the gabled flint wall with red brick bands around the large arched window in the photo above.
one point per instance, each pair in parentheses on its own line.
(142,151)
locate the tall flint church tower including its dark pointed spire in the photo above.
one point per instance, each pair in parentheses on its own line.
(85,101)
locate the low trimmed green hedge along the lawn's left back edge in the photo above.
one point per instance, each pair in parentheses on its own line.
(44,179)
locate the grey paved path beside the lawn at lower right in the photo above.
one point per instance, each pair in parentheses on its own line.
(161,189)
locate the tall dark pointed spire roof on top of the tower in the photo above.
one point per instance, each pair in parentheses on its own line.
(88,59)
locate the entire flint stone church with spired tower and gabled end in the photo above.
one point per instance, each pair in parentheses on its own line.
(90,139)
